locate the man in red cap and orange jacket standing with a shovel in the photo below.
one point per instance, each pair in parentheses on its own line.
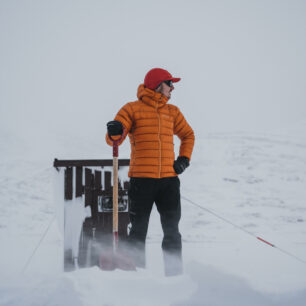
(151,123)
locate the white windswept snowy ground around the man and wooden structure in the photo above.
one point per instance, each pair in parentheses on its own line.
(257,181)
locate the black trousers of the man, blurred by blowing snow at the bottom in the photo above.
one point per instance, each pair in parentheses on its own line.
(165,192)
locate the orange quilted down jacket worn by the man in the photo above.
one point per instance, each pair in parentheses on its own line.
(151,123)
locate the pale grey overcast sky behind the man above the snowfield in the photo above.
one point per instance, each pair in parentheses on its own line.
(68,66)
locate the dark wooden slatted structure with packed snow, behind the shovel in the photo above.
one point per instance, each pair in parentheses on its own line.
(85,195)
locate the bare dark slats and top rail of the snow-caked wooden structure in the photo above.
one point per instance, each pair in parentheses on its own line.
(96,231)
